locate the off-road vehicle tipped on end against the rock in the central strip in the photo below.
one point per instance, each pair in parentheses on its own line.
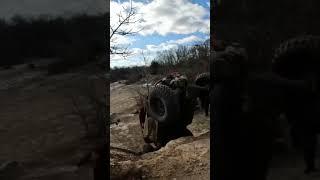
(169,108)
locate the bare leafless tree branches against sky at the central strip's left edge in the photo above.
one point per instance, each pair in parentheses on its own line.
(124,27)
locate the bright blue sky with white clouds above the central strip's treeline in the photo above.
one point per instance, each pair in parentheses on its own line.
(164,24)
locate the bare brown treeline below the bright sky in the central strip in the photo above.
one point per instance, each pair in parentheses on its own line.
(188,60)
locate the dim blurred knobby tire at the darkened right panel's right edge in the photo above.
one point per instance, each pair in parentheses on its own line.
(297,56)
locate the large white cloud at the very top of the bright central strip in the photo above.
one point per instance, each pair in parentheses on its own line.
(166,16)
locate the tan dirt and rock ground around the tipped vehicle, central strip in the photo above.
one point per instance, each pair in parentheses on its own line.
(183,158)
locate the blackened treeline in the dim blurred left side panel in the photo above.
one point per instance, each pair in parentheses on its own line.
(80,38)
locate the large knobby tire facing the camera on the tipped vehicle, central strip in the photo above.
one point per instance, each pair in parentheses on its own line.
(163,104)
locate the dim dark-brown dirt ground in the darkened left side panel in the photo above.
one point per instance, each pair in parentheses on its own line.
(39,128)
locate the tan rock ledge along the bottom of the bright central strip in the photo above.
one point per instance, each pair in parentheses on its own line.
(186,157)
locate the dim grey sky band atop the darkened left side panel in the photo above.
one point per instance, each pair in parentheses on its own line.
(8,8)
